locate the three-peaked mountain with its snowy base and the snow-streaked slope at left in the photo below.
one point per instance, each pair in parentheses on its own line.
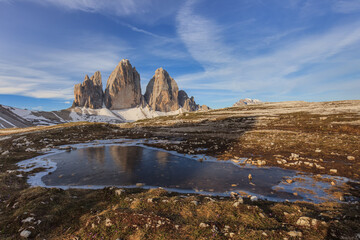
(121,101)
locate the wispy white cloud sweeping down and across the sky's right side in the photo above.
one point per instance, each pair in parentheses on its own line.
(280,71)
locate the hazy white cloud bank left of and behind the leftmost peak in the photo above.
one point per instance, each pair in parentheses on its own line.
(51,73)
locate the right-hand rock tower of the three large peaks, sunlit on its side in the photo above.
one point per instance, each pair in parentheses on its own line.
(162,92)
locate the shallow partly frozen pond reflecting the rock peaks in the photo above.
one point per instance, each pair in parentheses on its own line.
(132,165)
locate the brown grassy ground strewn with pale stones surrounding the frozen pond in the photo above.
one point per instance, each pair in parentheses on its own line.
(319,138)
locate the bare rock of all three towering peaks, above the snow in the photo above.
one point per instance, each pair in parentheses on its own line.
(123,91)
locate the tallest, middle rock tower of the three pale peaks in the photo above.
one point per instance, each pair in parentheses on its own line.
(123,88)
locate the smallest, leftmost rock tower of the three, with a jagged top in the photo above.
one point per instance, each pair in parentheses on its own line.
(89,94)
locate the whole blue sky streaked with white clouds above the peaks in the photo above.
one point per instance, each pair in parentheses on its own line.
(218,51)
